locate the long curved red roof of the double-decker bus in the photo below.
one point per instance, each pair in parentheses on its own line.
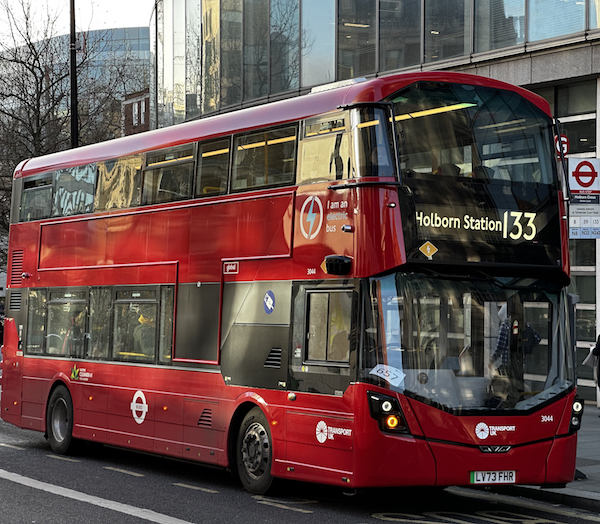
(323,100)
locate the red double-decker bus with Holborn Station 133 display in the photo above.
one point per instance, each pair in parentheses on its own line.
(362,286)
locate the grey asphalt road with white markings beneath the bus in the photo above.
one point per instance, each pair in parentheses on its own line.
(101,485)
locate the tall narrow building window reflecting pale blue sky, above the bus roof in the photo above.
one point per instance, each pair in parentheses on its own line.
(318,42)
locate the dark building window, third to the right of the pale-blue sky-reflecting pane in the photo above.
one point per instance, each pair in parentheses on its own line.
(447,29)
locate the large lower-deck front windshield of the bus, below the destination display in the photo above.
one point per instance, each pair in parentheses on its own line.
(468,344)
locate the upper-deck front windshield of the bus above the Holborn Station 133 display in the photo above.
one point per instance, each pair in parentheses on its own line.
(485,134)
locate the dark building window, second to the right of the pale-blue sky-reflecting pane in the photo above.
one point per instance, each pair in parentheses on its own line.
(399,34)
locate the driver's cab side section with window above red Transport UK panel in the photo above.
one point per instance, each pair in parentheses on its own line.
(319,418)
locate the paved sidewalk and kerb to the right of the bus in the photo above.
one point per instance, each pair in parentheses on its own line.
(584,492)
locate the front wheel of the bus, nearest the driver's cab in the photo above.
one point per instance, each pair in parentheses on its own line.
(254,453)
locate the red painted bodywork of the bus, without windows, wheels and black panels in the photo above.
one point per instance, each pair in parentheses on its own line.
(263,232)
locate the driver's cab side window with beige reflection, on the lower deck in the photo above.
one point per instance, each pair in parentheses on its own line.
(329,326)
